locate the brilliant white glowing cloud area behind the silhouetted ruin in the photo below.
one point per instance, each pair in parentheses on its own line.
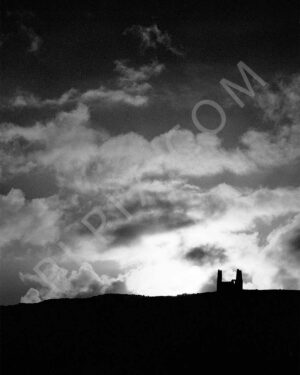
(223,218)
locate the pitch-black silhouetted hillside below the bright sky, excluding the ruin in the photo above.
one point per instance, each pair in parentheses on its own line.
(257,331)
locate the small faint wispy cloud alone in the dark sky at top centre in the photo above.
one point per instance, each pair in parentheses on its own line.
(152,37)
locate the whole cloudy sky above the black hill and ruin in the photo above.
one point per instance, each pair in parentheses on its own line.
(143,147)
